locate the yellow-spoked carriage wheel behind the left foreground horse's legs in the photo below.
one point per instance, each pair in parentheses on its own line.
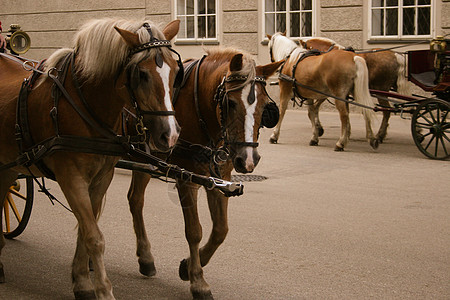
(17,207)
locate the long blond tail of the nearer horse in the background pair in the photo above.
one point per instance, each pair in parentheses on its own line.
(361,88)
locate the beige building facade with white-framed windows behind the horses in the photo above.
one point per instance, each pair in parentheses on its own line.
(242,24)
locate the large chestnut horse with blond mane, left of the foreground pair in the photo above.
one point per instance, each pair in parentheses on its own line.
(73,116)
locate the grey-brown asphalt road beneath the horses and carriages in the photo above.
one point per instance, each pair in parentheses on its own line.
(356,224)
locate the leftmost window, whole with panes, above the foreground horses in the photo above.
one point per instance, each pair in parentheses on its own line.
(198,19)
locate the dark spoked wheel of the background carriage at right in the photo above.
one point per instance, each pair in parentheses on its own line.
(430,126)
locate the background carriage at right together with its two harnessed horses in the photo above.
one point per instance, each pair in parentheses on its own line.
(303,78)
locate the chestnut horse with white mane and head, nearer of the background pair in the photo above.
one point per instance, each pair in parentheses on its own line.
(337,73)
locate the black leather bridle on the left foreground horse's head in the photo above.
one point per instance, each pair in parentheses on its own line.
(133,77)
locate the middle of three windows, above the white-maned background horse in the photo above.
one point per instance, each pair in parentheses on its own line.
(293,16)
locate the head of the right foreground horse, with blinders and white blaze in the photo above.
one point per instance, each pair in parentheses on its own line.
(246,102)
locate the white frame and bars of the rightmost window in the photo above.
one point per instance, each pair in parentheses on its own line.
(400,36)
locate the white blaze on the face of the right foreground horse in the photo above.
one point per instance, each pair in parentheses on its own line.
(249,122)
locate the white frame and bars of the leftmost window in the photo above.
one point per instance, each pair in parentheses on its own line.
(196,15)
